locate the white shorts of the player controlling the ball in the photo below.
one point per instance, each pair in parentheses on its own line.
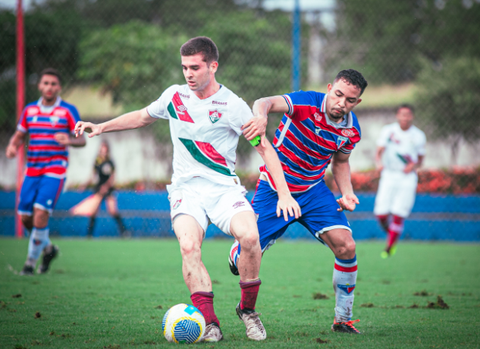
(204,200)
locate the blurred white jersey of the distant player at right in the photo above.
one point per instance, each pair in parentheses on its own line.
(401,147)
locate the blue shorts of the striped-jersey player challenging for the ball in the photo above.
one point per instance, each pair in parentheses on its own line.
(319,213)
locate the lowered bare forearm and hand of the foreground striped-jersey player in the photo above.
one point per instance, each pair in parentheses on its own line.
(341,174)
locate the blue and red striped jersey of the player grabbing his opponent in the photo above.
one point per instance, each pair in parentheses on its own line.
(306,140)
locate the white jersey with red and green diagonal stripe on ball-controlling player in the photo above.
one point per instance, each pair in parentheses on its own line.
(204,132)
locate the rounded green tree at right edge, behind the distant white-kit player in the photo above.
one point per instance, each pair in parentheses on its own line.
(448,100)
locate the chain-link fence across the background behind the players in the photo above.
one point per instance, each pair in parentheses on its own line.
(119,55)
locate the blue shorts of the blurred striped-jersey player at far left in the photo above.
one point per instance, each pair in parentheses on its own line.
(41,192)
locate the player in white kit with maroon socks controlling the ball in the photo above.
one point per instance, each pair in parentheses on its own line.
(206,119)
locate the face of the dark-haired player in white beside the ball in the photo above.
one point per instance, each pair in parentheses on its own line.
(197,72)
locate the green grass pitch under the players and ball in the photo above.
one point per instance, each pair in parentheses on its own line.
(114,293)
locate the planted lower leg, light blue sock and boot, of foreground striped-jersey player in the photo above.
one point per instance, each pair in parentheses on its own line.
(343,246)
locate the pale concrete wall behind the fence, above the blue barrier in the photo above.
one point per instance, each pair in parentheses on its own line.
(139,157)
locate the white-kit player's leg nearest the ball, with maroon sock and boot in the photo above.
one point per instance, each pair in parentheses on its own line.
(190,237)
